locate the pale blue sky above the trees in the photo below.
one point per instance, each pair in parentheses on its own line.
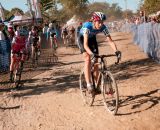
(9,4)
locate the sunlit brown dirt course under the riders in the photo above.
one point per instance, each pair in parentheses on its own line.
(52,100)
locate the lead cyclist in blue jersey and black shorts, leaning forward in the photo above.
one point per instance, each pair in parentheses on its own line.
(88,44)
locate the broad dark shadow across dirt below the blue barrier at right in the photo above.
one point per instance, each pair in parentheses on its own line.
(134,69)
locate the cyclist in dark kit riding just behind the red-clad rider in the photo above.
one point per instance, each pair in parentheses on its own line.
(34,39)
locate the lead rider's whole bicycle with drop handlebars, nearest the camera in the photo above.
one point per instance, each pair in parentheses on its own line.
(105,82)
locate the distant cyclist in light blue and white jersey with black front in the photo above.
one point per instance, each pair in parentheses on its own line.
(52,35)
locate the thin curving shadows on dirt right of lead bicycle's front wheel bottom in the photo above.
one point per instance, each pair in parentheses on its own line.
(140,102)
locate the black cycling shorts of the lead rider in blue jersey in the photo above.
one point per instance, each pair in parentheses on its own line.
(92,43)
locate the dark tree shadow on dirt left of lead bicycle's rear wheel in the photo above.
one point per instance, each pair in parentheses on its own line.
(59,82)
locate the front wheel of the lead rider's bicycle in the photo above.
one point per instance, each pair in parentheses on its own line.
(110,92)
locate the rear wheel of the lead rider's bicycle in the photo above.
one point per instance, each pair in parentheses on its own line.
(87,97)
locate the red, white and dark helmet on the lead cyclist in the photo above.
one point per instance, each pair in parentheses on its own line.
(97,16)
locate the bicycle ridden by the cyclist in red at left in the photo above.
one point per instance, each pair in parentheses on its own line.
(17,73)
